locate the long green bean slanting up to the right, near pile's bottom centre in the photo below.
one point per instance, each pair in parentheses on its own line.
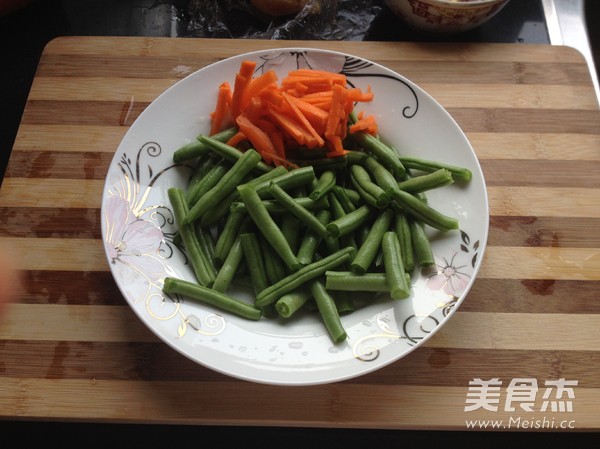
(303,275)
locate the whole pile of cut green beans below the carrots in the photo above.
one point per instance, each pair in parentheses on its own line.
(303,238)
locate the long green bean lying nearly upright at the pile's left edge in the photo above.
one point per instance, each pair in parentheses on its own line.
(204,272)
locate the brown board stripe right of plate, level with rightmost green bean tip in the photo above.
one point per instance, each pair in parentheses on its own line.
(541,173)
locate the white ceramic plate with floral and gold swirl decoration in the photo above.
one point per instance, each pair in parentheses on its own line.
(138,229)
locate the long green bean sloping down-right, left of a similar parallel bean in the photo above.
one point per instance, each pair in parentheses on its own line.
(267,226)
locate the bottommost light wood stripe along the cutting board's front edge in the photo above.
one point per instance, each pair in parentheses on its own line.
(388,407)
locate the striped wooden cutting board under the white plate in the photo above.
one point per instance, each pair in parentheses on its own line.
(71,347)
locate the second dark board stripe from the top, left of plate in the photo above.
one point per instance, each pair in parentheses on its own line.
(99,113)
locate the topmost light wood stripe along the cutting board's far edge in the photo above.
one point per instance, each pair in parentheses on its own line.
(147,46)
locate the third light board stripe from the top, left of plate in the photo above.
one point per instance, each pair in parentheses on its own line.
(93,139)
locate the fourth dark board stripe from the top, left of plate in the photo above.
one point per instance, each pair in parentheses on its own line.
(50,222)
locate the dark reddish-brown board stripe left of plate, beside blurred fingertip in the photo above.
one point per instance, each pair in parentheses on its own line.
(70,288)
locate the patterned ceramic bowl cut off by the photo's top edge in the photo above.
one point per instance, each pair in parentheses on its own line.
(445,16)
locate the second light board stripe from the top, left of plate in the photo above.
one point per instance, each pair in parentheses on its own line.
(105,88)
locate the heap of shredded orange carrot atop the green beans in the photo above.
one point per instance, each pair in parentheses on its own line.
(307,110)
